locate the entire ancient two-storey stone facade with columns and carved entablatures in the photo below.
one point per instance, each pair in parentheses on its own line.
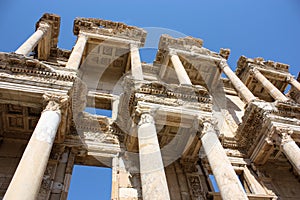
(175,126)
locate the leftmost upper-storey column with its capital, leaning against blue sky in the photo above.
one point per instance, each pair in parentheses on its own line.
(34,39)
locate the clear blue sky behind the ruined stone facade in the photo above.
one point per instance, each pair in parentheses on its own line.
(257,28)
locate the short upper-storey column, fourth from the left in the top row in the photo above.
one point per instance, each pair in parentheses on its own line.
(182,76)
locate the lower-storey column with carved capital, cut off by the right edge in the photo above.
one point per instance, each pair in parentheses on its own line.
(291,150)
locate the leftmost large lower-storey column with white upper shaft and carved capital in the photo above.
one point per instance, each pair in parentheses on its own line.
(28,177)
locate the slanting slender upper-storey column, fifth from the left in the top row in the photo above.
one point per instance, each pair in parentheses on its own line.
(236,82)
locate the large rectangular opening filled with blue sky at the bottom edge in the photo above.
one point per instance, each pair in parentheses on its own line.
(90,183)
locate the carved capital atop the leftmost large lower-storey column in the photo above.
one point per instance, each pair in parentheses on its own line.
(54,102)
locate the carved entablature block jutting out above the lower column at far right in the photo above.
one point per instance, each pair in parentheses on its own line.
(260,124)
